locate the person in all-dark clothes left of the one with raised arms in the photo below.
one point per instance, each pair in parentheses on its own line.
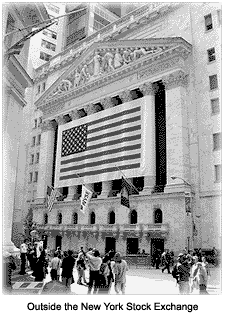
(67,269)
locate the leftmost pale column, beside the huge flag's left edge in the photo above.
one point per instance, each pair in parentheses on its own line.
(46,159)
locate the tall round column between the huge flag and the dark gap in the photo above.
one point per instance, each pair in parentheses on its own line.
(149,99)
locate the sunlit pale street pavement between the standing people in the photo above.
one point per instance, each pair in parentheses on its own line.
(138,281)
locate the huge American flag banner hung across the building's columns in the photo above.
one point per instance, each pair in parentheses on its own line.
(95,147)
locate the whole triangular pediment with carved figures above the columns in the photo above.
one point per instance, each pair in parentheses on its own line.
(103,59)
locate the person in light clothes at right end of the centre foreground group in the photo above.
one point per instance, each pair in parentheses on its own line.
(119,269)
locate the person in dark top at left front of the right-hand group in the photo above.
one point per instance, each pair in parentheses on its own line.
(183,272)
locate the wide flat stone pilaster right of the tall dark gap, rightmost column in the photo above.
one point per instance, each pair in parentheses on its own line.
(177,131)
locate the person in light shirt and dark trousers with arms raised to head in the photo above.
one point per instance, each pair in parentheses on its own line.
(95,262)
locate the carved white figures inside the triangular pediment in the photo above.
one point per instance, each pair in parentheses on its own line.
(101,62)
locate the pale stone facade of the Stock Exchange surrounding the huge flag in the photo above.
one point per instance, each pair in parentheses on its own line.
(157,62)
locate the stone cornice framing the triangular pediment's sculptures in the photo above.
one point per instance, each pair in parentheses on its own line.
(179,48)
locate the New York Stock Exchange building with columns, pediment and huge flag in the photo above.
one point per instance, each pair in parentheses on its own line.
(124,101)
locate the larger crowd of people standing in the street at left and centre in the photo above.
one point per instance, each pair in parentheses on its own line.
(103,271)
